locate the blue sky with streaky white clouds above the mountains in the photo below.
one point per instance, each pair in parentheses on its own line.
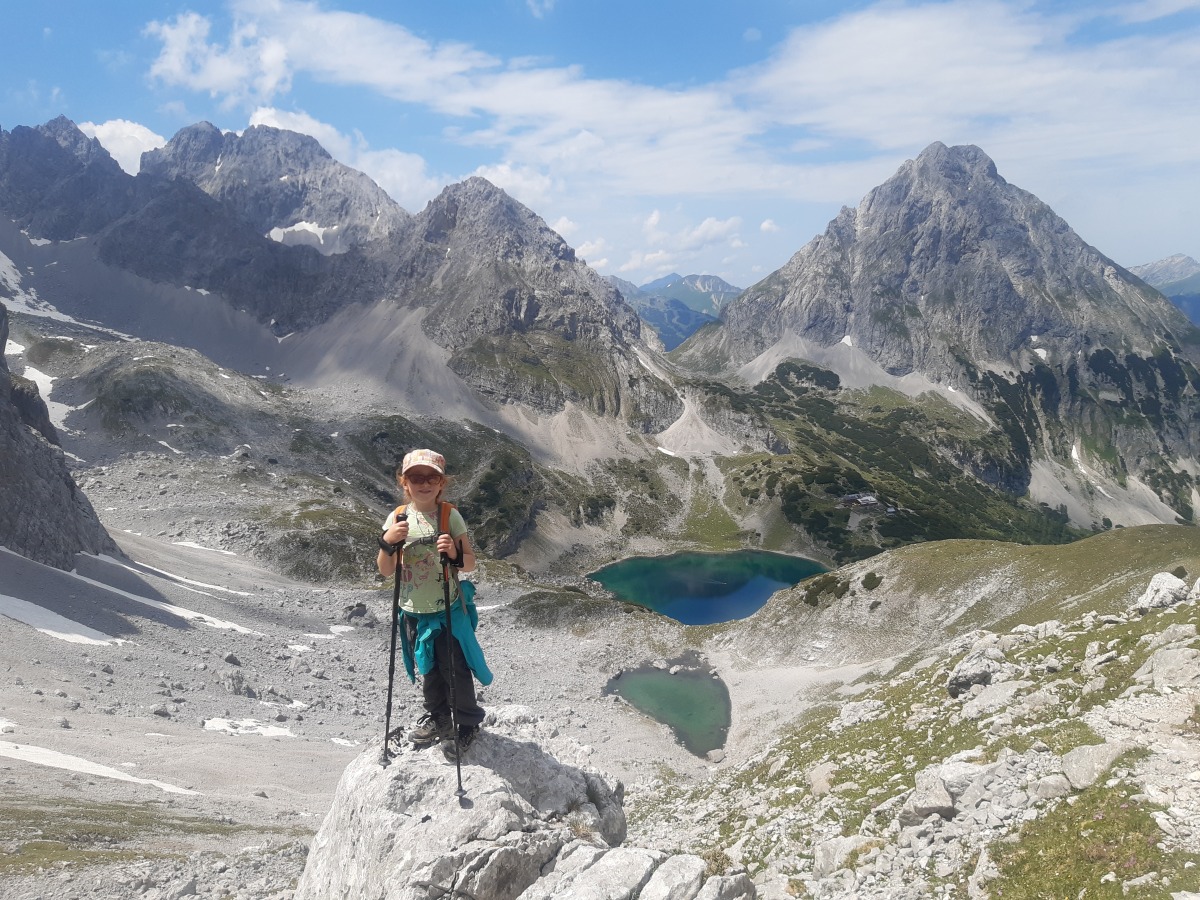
(686,136)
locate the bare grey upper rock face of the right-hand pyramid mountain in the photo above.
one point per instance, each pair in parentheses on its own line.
(947,261)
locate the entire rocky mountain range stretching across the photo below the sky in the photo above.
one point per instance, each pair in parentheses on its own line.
(950,347)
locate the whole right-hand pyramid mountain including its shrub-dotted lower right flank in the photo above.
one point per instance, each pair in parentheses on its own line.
(950,273)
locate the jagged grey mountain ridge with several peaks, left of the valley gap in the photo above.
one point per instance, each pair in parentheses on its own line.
(521,317)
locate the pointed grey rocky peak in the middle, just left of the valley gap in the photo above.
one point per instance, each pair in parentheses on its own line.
(521,316)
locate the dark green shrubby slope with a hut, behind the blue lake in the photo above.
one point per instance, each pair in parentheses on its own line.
(926,470)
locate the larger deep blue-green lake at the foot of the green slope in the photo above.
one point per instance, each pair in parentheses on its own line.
(705,589)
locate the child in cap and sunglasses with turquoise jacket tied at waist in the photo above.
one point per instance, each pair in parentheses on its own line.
(413,541)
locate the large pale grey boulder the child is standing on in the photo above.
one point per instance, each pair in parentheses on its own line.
(530,826)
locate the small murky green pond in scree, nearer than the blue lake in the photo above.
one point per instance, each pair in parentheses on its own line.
(693,703)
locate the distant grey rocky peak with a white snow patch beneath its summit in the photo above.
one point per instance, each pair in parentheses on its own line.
(283,184)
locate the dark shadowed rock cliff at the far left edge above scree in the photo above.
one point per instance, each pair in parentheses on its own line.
(46,517)
